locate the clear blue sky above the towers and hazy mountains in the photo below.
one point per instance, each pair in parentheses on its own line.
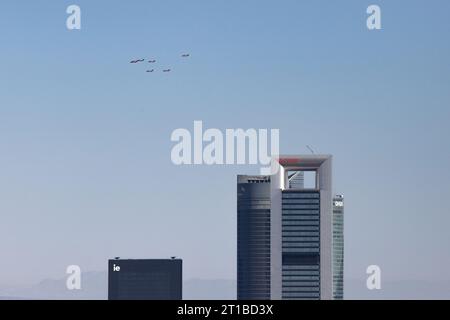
(85,169)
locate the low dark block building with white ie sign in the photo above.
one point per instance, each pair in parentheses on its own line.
(149,279)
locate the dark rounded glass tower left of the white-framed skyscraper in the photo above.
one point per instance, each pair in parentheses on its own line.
(253,238)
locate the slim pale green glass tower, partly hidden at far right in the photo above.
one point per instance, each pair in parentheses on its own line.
(338,247)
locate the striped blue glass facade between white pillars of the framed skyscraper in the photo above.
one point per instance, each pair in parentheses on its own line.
(301,244)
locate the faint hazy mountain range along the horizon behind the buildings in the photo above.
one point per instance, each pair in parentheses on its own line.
(95,287)
